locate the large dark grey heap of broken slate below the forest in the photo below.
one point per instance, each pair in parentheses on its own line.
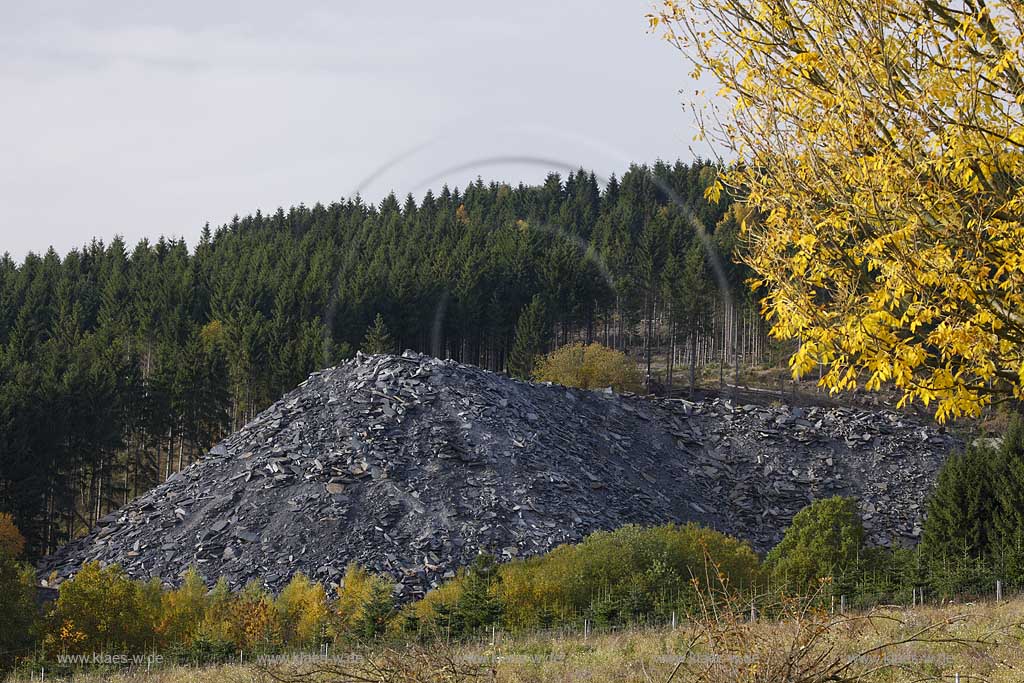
(411,466)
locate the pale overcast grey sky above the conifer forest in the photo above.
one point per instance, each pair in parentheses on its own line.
(144,119)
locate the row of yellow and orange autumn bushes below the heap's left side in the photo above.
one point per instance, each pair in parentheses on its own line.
(101,610)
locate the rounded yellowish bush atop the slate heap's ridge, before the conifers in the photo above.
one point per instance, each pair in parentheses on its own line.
(589,367)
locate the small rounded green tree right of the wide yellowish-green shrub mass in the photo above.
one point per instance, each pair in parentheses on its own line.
(825,541)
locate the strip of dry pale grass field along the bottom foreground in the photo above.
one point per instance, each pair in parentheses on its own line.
(978,643)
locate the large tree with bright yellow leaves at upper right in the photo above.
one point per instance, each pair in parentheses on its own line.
(882,145)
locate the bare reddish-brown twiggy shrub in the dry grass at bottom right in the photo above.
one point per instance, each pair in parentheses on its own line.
(804,643)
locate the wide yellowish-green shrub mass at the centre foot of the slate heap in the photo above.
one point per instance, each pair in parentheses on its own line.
(626,576)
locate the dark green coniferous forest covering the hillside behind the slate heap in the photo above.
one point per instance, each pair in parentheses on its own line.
(121,365)
